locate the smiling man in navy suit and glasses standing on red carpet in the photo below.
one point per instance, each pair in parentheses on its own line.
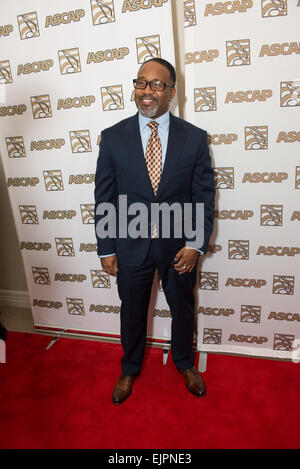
(154,158)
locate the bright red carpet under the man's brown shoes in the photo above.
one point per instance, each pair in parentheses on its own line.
(61,398)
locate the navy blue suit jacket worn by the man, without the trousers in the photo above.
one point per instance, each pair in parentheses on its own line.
(121,170)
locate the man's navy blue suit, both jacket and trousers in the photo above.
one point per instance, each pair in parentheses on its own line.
(187,177)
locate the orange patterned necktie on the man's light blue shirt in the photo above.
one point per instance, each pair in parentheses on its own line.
(153,156)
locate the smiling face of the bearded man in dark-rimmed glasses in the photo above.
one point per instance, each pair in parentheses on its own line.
(154,103)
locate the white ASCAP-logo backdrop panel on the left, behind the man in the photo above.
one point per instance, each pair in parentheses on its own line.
(66,71)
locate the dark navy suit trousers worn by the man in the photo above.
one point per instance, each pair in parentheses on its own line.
(134,287)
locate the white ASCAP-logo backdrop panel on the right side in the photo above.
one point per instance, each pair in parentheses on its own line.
(243,86)
